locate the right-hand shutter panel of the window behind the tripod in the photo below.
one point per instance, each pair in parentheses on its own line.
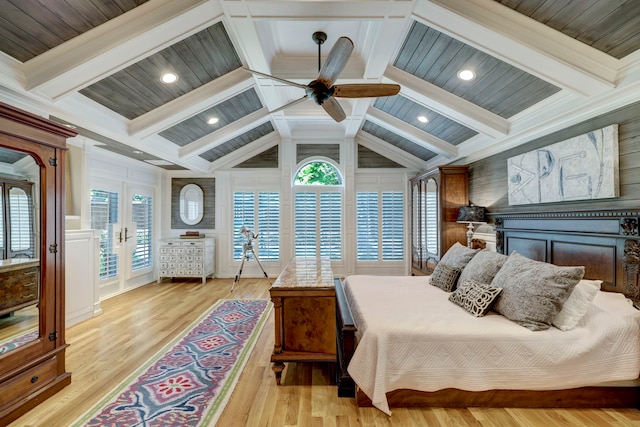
(269,226)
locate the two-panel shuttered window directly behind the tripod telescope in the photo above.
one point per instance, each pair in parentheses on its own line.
(267,226)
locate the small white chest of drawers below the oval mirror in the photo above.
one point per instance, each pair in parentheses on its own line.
(186,258)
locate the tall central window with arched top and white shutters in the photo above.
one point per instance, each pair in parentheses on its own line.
(318,210)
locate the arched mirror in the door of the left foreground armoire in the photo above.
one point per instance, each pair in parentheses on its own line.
(19,249)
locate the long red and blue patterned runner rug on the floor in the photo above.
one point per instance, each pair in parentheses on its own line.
(190,380)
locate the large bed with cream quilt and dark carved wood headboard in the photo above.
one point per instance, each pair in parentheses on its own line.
(491,360)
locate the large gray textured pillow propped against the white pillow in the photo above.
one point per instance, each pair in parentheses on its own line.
(533,292)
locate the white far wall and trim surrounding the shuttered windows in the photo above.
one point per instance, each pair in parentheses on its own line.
(229,180)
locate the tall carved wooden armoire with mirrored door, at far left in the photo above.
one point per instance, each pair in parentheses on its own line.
(32,344)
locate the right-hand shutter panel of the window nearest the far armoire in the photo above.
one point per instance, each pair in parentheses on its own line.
(392,226)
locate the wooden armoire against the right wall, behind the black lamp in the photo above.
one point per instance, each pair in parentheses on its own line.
(436,196)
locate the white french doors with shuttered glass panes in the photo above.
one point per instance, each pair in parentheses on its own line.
(124,215)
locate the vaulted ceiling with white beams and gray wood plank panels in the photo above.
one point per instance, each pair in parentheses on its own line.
(540,65)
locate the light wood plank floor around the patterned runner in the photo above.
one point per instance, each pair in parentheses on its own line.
(135,325)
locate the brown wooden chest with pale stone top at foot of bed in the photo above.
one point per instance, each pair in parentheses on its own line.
(304,308)
